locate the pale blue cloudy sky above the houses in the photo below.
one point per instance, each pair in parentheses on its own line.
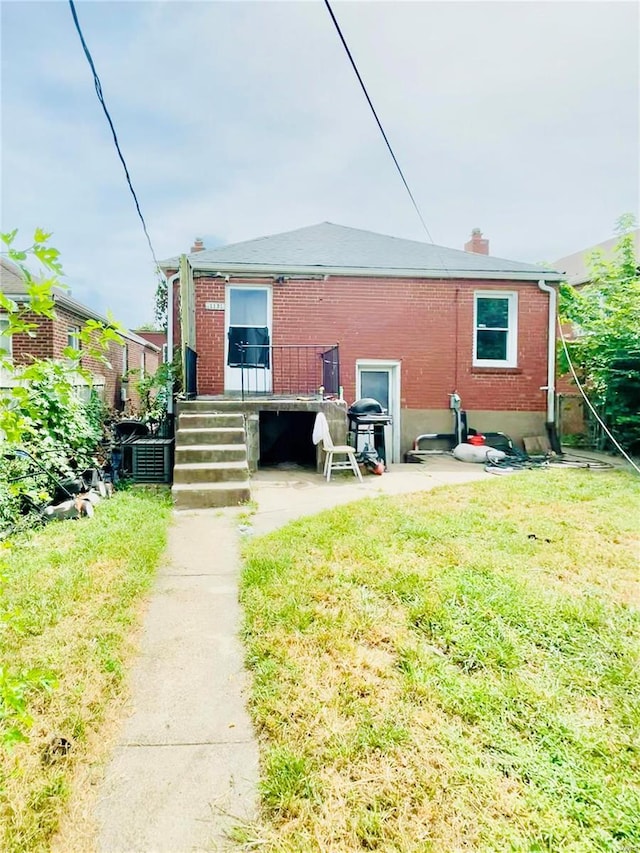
(240,119)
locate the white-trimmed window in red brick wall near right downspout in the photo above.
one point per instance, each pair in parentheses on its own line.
(495,325)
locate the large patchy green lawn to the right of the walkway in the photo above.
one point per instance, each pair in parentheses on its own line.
(453,670)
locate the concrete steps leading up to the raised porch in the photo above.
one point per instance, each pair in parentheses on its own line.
(211,467)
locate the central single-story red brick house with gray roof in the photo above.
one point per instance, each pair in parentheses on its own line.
(414,323)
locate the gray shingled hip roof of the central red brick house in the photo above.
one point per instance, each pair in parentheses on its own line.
(329,248)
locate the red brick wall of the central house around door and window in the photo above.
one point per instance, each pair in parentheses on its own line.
(425,324)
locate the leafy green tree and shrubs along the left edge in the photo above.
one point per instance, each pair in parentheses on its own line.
(40,412)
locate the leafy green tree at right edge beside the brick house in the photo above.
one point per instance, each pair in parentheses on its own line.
(605,350)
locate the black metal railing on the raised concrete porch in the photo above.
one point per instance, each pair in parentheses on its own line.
(288,370)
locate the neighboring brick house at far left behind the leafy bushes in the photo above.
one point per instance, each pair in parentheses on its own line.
(54,335)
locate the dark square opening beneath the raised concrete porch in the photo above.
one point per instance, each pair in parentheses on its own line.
(285,438)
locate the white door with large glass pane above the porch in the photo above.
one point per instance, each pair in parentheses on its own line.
(247,356)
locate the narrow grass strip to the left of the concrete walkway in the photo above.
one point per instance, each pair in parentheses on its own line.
(70,604)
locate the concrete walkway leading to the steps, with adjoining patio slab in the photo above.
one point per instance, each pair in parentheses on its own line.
(186,765)
